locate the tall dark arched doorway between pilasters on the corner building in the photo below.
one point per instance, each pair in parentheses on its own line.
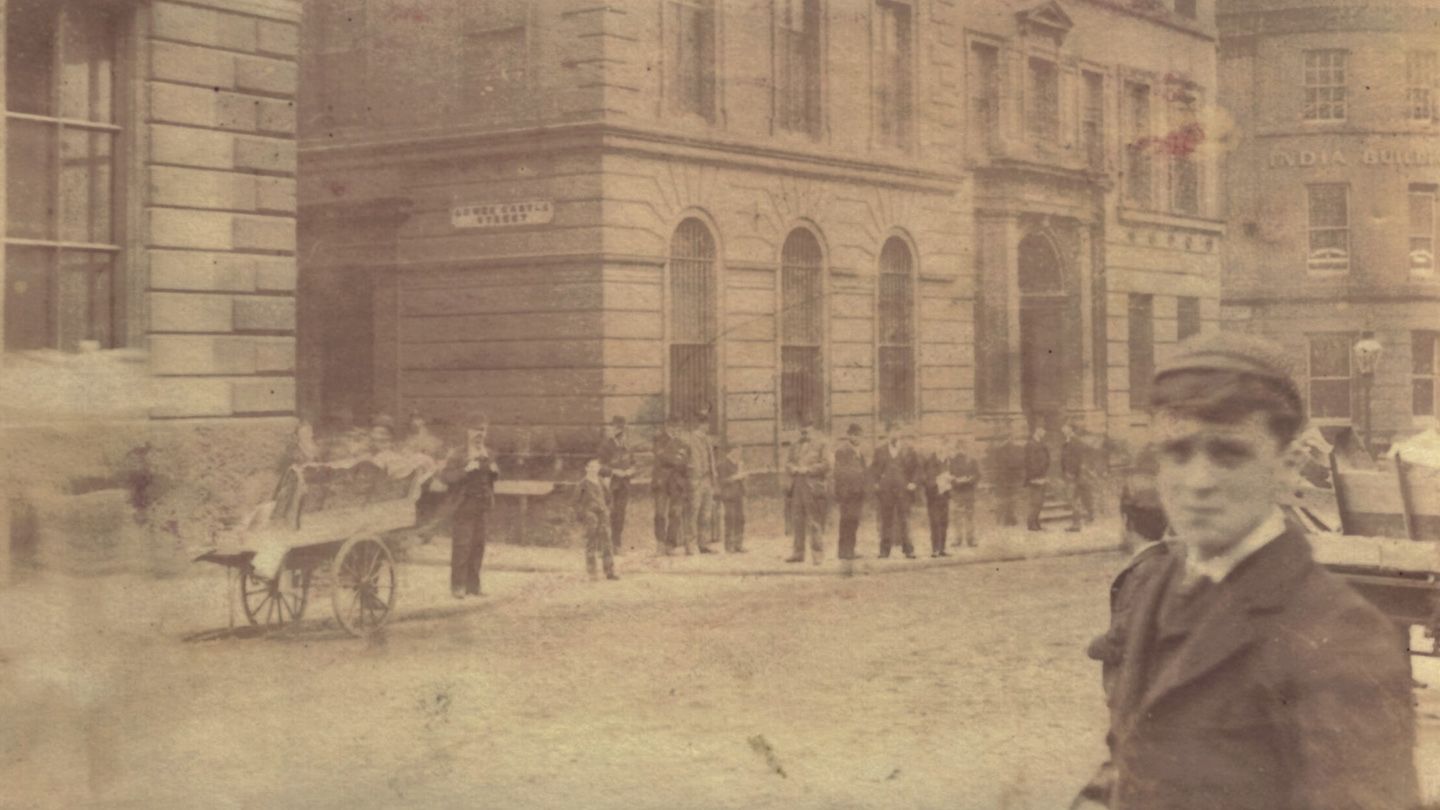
(1043,311)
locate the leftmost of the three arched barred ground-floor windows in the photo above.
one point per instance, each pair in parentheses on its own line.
(692,321)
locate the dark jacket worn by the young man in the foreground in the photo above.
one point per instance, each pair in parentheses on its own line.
(1291,694)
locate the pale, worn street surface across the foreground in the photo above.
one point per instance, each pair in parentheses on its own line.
(703,682)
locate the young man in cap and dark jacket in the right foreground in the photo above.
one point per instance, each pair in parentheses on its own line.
(1251,680)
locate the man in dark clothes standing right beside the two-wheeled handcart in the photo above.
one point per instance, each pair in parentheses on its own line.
(470,479)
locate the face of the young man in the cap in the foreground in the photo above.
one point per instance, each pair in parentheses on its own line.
(1218,482)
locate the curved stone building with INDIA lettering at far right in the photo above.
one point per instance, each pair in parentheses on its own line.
(1333,198)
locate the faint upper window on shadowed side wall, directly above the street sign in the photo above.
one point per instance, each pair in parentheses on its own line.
(493,55)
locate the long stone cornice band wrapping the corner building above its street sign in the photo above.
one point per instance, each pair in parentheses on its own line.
(392,149)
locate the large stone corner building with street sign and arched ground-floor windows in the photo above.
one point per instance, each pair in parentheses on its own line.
(775,210)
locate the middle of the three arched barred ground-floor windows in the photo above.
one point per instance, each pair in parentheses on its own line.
(803,313)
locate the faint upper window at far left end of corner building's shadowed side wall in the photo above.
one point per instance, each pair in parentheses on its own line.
(336,77)
